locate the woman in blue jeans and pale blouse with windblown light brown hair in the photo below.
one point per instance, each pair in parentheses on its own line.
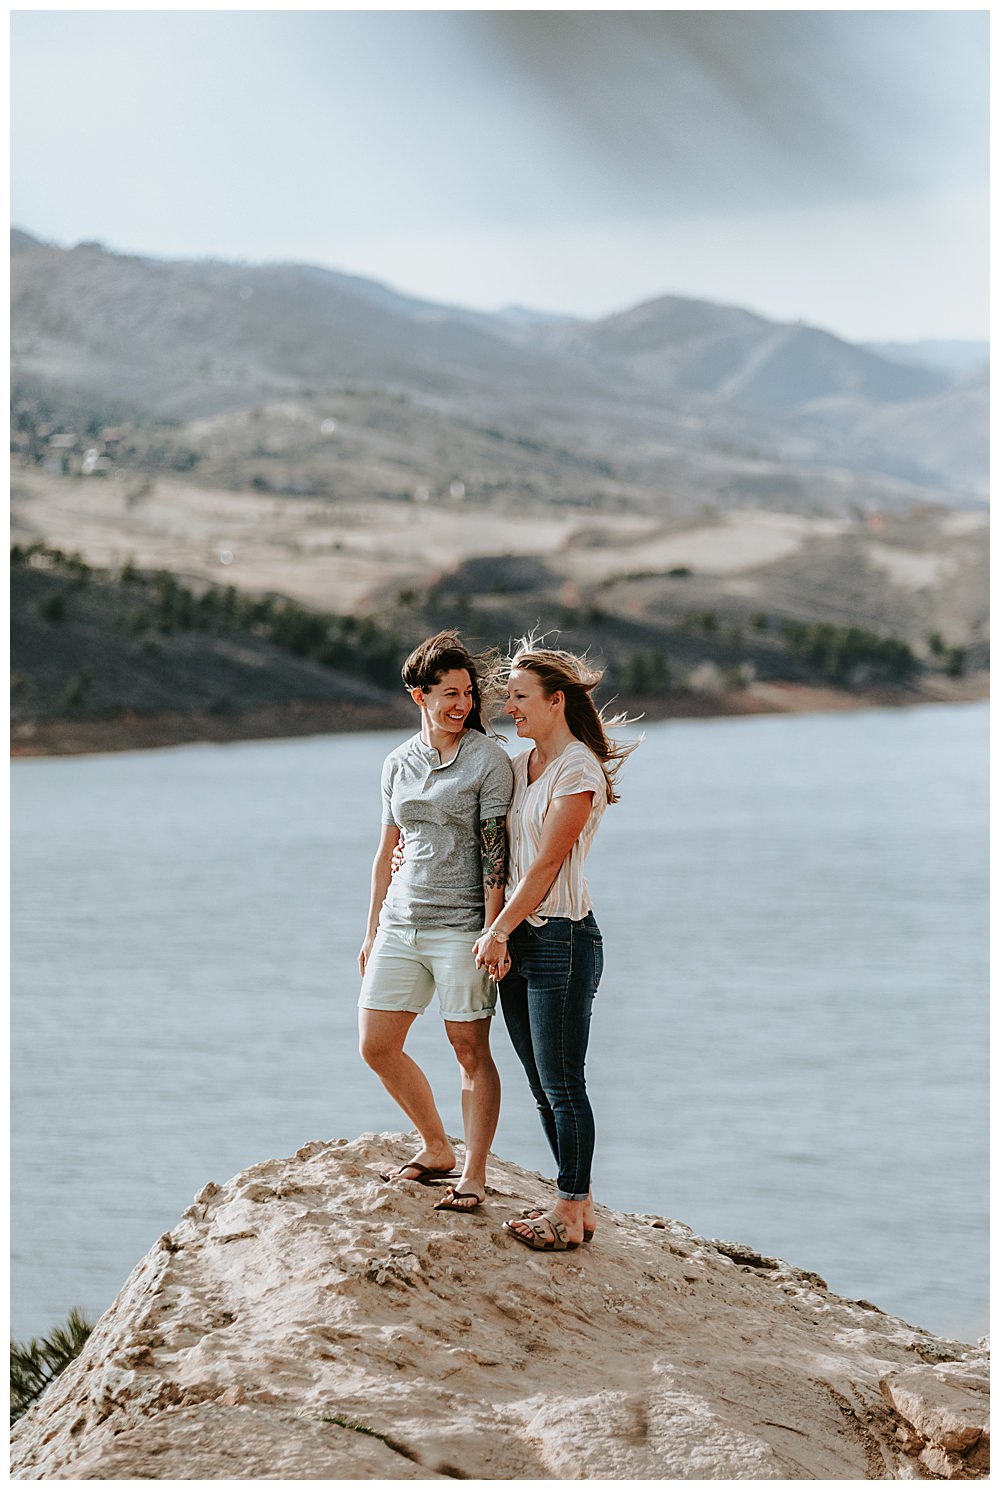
(563,787)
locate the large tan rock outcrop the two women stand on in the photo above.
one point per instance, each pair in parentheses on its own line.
(308,1321)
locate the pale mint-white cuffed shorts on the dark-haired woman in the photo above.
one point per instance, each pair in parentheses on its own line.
(409,963)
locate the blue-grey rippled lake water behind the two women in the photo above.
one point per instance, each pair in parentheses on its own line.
(791,1042)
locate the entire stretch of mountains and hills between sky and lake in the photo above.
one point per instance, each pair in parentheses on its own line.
(276,479)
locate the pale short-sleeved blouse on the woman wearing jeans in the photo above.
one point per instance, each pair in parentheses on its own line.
(575,770)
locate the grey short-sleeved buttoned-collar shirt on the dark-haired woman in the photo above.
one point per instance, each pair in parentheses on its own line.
(439,810)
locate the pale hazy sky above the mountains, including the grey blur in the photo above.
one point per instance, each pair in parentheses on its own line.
(820,166)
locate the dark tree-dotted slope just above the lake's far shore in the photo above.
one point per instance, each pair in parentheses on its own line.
(130,649)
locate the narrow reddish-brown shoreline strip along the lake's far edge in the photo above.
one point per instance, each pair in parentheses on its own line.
(302,717)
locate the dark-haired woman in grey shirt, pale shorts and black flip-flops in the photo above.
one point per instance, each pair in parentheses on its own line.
(446,790)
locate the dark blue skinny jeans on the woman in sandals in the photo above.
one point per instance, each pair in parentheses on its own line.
(548,999)
